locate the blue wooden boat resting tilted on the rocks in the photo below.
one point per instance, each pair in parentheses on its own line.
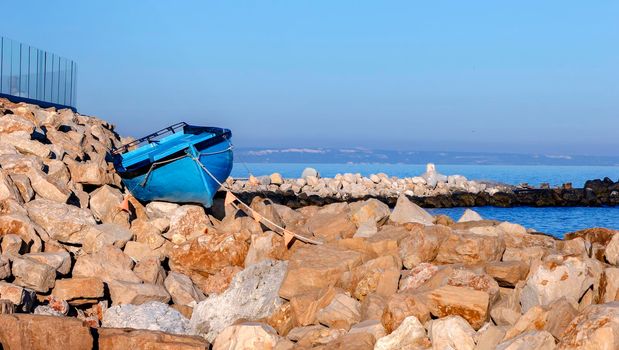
(181,163)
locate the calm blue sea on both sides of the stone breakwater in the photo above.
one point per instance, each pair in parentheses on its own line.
(555,221)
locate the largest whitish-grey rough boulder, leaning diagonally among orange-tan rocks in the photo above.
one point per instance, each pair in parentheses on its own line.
(251,295)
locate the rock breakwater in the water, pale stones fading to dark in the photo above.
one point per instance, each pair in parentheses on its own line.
(430,190)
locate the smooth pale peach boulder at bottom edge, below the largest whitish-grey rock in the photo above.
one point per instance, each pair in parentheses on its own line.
(247,335)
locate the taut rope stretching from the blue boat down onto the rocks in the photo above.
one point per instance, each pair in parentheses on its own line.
(231,199)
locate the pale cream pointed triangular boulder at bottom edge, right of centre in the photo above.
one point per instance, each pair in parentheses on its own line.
(409,335)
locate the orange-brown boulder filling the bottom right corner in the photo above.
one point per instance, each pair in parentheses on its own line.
(597,327)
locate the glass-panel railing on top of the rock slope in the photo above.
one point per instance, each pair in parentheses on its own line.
(32,75)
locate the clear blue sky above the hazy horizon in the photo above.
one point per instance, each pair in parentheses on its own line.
(519,76)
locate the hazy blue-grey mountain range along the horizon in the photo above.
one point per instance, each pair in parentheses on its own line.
(361,155)
